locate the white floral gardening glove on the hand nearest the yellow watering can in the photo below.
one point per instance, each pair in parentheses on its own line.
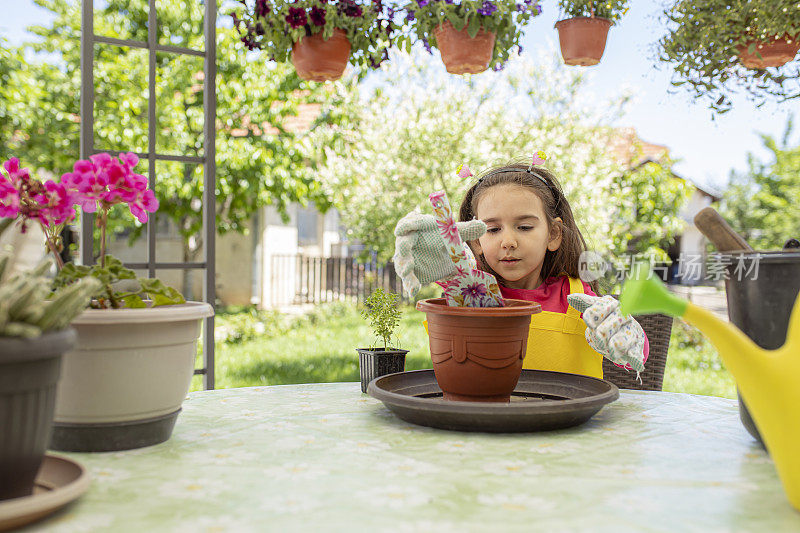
(619,339)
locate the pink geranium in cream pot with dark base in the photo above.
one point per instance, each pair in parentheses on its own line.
(123,385)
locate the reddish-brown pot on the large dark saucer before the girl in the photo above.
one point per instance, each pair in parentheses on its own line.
(477,352)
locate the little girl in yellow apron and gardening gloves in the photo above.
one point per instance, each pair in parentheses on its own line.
(521,229)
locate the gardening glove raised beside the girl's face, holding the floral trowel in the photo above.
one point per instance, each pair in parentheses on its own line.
(420,256)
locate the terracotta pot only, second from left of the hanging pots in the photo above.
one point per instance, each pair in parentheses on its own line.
(461,54)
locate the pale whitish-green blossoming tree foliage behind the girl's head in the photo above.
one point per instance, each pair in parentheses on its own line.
(407,138)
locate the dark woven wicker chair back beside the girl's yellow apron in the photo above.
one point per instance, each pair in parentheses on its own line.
(658,329)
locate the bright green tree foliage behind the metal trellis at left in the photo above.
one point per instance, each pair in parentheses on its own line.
(259,161)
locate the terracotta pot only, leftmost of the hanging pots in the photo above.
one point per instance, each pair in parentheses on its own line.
(316,59)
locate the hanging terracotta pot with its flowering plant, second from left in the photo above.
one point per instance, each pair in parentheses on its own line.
(471,35)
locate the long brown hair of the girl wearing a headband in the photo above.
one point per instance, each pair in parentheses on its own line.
(566,259)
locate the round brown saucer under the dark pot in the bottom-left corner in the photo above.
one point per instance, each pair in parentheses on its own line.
(60,481)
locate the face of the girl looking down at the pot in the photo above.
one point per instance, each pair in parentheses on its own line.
(517,235)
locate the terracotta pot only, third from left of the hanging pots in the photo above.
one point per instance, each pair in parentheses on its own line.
(583,39)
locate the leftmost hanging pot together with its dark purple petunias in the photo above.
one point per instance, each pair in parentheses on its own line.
(319,36)
